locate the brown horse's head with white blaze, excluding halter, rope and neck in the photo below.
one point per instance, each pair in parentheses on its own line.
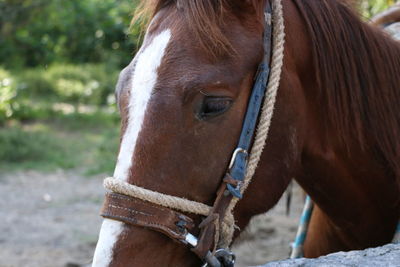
(182,101)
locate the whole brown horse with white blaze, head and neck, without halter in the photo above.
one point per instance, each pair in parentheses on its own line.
(336,126)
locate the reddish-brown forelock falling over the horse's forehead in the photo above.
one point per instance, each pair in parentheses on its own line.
(205,19)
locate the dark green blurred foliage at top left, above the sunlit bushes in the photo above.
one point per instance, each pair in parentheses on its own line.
(41,32)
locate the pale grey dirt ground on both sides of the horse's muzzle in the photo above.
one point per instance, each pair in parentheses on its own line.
(51,220)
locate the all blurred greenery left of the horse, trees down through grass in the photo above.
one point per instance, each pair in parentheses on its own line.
(59,62)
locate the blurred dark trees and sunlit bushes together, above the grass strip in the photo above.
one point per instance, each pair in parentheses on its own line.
(58,51)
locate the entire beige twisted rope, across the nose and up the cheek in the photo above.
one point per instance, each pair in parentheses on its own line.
(184,205)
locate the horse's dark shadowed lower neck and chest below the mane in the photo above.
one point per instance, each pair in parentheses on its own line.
(356,195)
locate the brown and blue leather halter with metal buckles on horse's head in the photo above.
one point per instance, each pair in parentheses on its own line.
(178,226)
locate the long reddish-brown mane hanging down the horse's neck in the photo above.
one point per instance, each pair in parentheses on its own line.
(358,72)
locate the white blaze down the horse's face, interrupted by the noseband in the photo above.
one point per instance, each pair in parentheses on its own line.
(143,81)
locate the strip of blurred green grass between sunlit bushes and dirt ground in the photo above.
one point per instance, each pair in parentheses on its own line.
(76,141)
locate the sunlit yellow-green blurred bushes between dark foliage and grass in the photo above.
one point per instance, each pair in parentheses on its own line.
(44,93)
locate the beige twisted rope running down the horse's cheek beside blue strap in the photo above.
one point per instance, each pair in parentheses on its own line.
(264,124)
